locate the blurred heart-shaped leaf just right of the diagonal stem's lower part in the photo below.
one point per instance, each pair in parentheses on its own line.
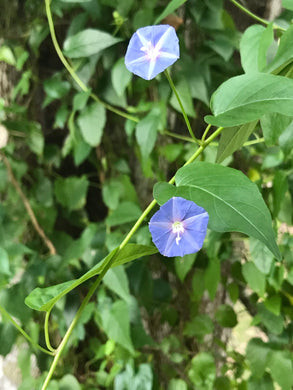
(116,324)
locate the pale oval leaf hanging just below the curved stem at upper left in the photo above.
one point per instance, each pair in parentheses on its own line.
(91,121)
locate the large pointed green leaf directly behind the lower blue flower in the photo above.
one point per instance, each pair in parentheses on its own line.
(233,202)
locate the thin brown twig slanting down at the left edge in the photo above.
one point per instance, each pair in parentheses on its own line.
(27,206)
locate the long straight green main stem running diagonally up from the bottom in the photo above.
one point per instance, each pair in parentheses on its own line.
(111,260)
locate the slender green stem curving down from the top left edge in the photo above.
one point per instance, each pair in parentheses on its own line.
(69,68)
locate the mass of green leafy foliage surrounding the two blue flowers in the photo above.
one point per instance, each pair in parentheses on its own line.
(84,161)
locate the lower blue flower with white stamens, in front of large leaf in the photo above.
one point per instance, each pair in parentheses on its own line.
(179,227)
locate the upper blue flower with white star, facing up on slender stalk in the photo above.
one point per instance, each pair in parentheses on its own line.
(151,50)
